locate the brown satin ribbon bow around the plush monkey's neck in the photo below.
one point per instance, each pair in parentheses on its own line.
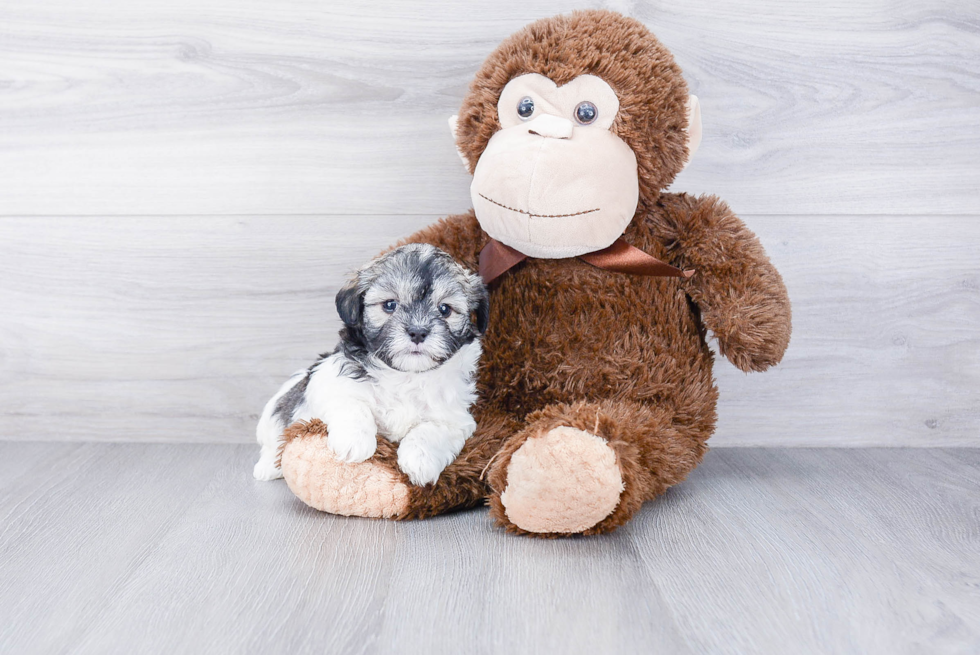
(497,258)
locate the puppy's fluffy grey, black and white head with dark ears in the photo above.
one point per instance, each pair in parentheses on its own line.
(413,308)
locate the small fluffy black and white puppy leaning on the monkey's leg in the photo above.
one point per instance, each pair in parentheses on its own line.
(405,367)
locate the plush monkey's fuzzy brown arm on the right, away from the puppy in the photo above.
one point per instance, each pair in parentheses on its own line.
(740,293)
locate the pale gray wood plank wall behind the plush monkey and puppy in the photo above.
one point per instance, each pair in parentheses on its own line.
(184,185)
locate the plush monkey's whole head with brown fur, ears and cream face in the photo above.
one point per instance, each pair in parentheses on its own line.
(568,126)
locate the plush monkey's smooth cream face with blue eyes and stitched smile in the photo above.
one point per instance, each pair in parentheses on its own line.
(554,181)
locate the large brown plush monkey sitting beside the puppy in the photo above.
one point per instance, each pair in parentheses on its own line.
(596,387)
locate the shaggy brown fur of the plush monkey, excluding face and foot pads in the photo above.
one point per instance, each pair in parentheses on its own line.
(619,356)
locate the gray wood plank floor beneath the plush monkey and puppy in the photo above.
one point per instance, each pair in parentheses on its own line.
(174,548)
